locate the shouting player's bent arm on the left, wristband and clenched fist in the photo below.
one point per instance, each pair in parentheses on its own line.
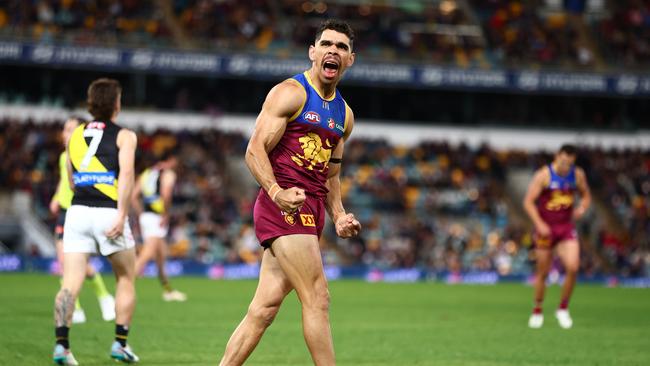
(282,102)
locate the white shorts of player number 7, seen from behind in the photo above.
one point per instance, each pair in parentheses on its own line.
(85,227)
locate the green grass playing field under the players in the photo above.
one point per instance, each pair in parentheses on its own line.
(372,324)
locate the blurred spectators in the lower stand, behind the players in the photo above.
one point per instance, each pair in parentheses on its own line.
(435,206)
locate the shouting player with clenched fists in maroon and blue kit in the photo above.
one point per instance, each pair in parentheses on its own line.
(295,155)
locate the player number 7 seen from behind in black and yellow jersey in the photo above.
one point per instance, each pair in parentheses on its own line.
(101,158)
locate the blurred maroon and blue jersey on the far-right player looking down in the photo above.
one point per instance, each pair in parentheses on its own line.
(555,203)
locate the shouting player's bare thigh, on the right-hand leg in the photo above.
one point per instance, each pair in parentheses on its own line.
(300,258)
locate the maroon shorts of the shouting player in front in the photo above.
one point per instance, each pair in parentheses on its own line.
(271,222)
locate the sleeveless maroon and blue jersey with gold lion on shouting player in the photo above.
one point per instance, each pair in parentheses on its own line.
(301,157)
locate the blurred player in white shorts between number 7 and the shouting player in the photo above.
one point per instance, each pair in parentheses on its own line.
(156,185)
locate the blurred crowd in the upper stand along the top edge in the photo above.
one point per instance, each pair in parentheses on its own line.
(483,34)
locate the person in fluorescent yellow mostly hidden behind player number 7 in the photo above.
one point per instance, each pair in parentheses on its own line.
(58,206)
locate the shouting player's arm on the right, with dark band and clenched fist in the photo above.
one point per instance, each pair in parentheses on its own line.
(346,224)
